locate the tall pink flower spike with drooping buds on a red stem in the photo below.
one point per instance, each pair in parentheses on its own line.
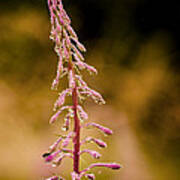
(70,64)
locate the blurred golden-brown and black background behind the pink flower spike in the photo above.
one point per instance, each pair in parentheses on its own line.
(135,46)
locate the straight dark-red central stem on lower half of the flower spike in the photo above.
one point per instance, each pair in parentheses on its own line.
(77,132)
